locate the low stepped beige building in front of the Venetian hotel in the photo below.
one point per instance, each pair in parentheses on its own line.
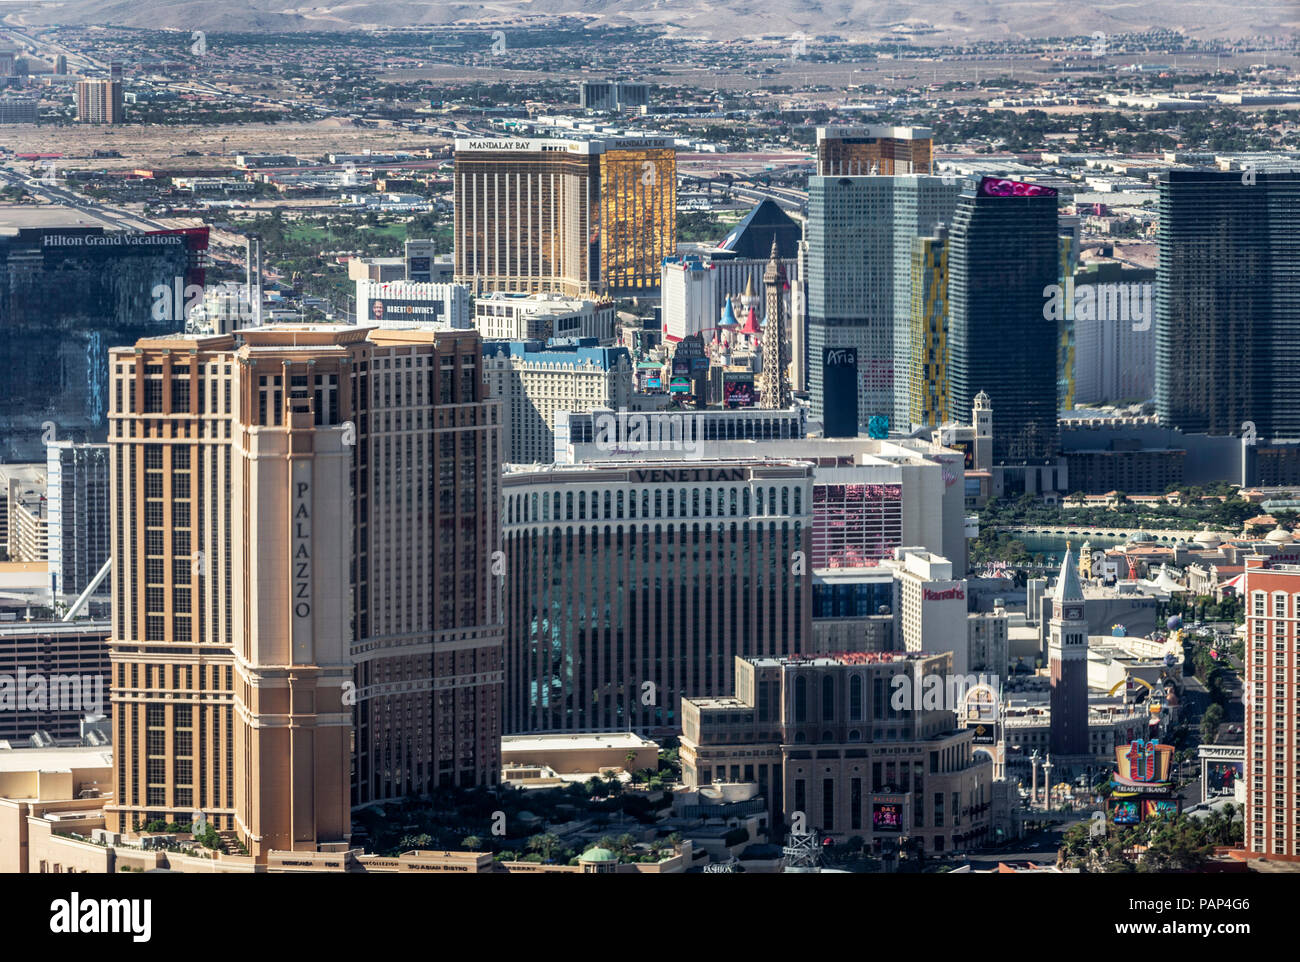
(831,755)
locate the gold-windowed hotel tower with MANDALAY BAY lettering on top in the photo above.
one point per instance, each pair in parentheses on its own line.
(570,216)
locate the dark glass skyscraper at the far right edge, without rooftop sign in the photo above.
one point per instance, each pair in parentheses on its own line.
(1228,302)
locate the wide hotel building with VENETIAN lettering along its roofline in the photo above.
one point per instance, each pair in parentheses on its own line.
(632,584)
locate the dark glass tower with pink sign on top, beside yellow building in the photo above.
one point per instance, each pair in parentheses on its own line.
(1003,259)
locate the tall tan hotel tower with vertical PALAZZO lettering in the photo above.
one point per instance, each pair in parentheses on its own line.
(302,622)
